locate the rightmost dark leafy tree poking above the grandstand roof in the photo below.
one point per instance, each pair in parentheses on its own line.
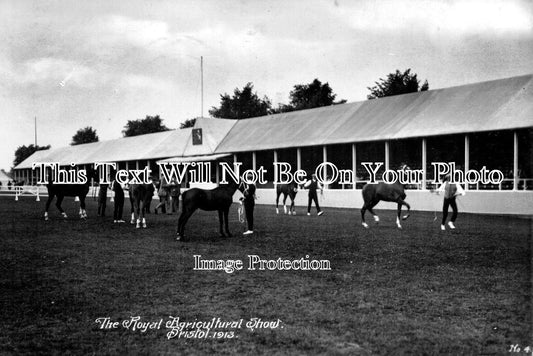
(396,84)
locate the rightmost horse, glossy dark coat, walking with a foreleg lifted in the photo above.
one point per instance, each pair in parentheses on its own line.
(374,193)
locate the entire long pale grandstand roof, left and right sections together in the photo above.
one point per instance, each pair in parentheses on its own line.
(495,105)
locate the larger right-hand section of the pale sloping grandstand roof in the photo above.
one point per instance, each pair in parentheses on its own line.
(494,105)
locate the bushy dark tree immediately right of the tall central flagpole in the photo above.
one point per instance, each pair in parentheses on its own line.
(244,104)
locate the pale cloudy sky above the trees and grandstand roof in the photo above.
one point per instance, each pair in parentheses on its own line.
(72,64)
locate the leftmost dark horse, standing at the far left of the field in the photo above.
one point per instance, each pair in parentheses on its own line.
(68,190)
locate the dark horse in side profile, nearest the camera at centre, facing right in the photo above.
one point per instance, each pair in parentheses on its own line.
(219,199)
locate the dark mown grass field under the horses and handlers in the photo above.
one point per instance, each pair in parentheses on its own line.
(389,292)
